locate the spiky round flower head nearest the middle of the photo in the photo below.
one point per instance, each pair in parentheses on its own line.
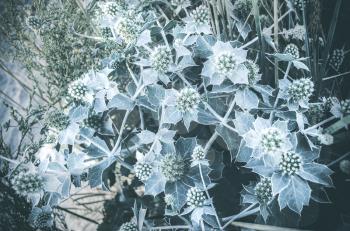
(187,100)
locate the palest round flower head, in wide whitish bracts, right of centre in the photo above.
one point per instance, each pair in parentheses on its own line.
(271,139)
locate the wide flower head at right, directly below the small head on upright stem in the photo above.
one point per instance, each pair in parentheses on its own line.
(301,89)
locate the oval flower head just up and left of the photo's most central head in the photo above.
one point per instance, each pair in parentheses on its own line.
(161,58)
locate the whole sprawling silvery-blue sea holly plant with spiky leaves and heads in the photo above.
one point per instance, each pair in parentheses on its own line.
(167,98)
